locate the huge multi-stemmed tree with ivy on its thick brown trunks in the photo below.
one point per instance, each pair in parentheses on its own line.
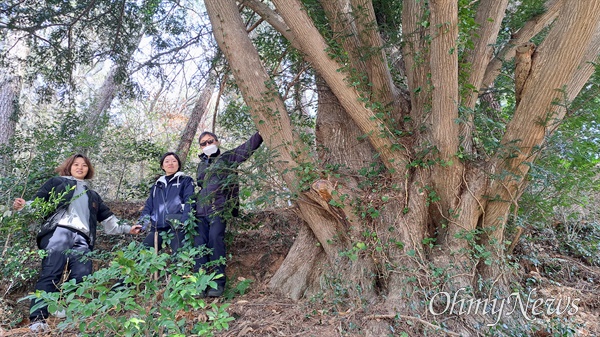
(419,187)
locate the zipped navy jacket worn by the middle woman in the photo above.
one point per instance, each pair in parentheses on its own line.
(169,199)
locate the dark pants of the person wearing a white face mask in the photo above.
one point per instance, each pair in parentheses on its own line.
(211,233)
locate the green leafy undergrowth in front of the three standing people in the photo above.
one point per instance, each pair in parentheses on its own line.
(141,293)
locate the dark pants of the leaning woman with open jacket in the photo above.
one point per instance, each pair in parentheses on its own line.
(63,246)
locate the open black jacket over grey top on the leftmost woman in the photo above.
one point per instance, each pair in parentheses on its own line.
(98,210)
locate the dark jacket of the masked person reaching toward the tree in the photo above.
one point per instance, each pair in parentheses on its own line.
(217,178)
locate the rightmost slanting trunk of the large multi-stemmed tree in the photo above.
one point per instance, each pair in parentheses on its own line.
(554,63)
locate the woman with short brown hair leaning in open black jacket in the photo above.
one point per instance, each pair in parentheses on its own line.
(69,233)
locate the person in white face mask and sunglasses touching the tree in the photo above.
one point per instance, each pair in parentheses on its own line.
(218,198)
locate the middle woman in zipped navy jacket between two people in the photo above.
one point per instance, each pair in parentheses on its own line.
(168,205)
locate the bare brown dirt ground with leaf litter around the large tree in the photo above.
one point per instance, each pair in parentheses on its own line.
(257,252)
